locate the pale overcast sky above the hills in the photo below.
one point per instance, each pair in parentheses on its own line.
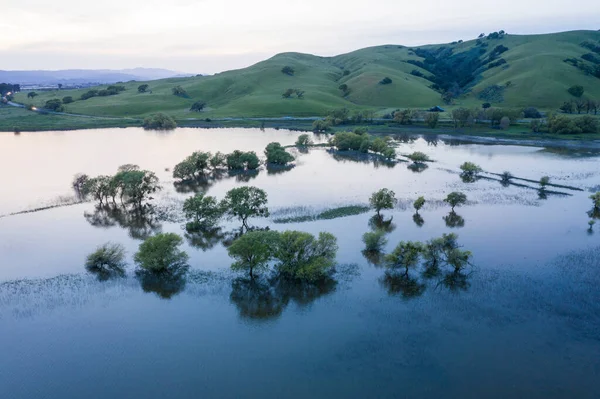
(207,36)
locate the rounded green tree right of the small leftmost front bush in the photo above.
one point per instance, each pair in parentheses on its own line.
(161,253)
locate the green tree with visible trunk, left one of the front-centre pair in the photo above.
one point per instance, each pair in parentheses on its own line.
(253,251)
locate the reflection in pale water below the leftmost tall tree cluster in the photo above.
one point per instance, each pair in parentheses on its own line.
(141,223)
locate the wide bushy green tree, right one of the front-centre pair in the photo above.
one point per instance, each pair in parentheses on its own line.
(303,257)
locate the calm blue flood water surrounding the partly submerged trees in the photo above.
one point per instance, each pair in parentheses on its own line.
(527,324)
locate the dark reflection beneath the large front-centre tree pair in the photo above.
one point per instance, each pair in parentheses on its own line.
(262,299)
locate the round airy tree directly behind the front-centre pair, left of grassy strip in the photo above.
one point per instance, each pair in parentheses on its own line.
(245,202)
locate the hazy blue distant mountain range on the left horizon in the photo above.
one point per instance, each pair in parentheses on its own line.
(86,76)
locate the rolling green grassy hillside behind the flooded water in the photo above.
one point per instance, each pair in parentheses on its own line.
(533,74)
